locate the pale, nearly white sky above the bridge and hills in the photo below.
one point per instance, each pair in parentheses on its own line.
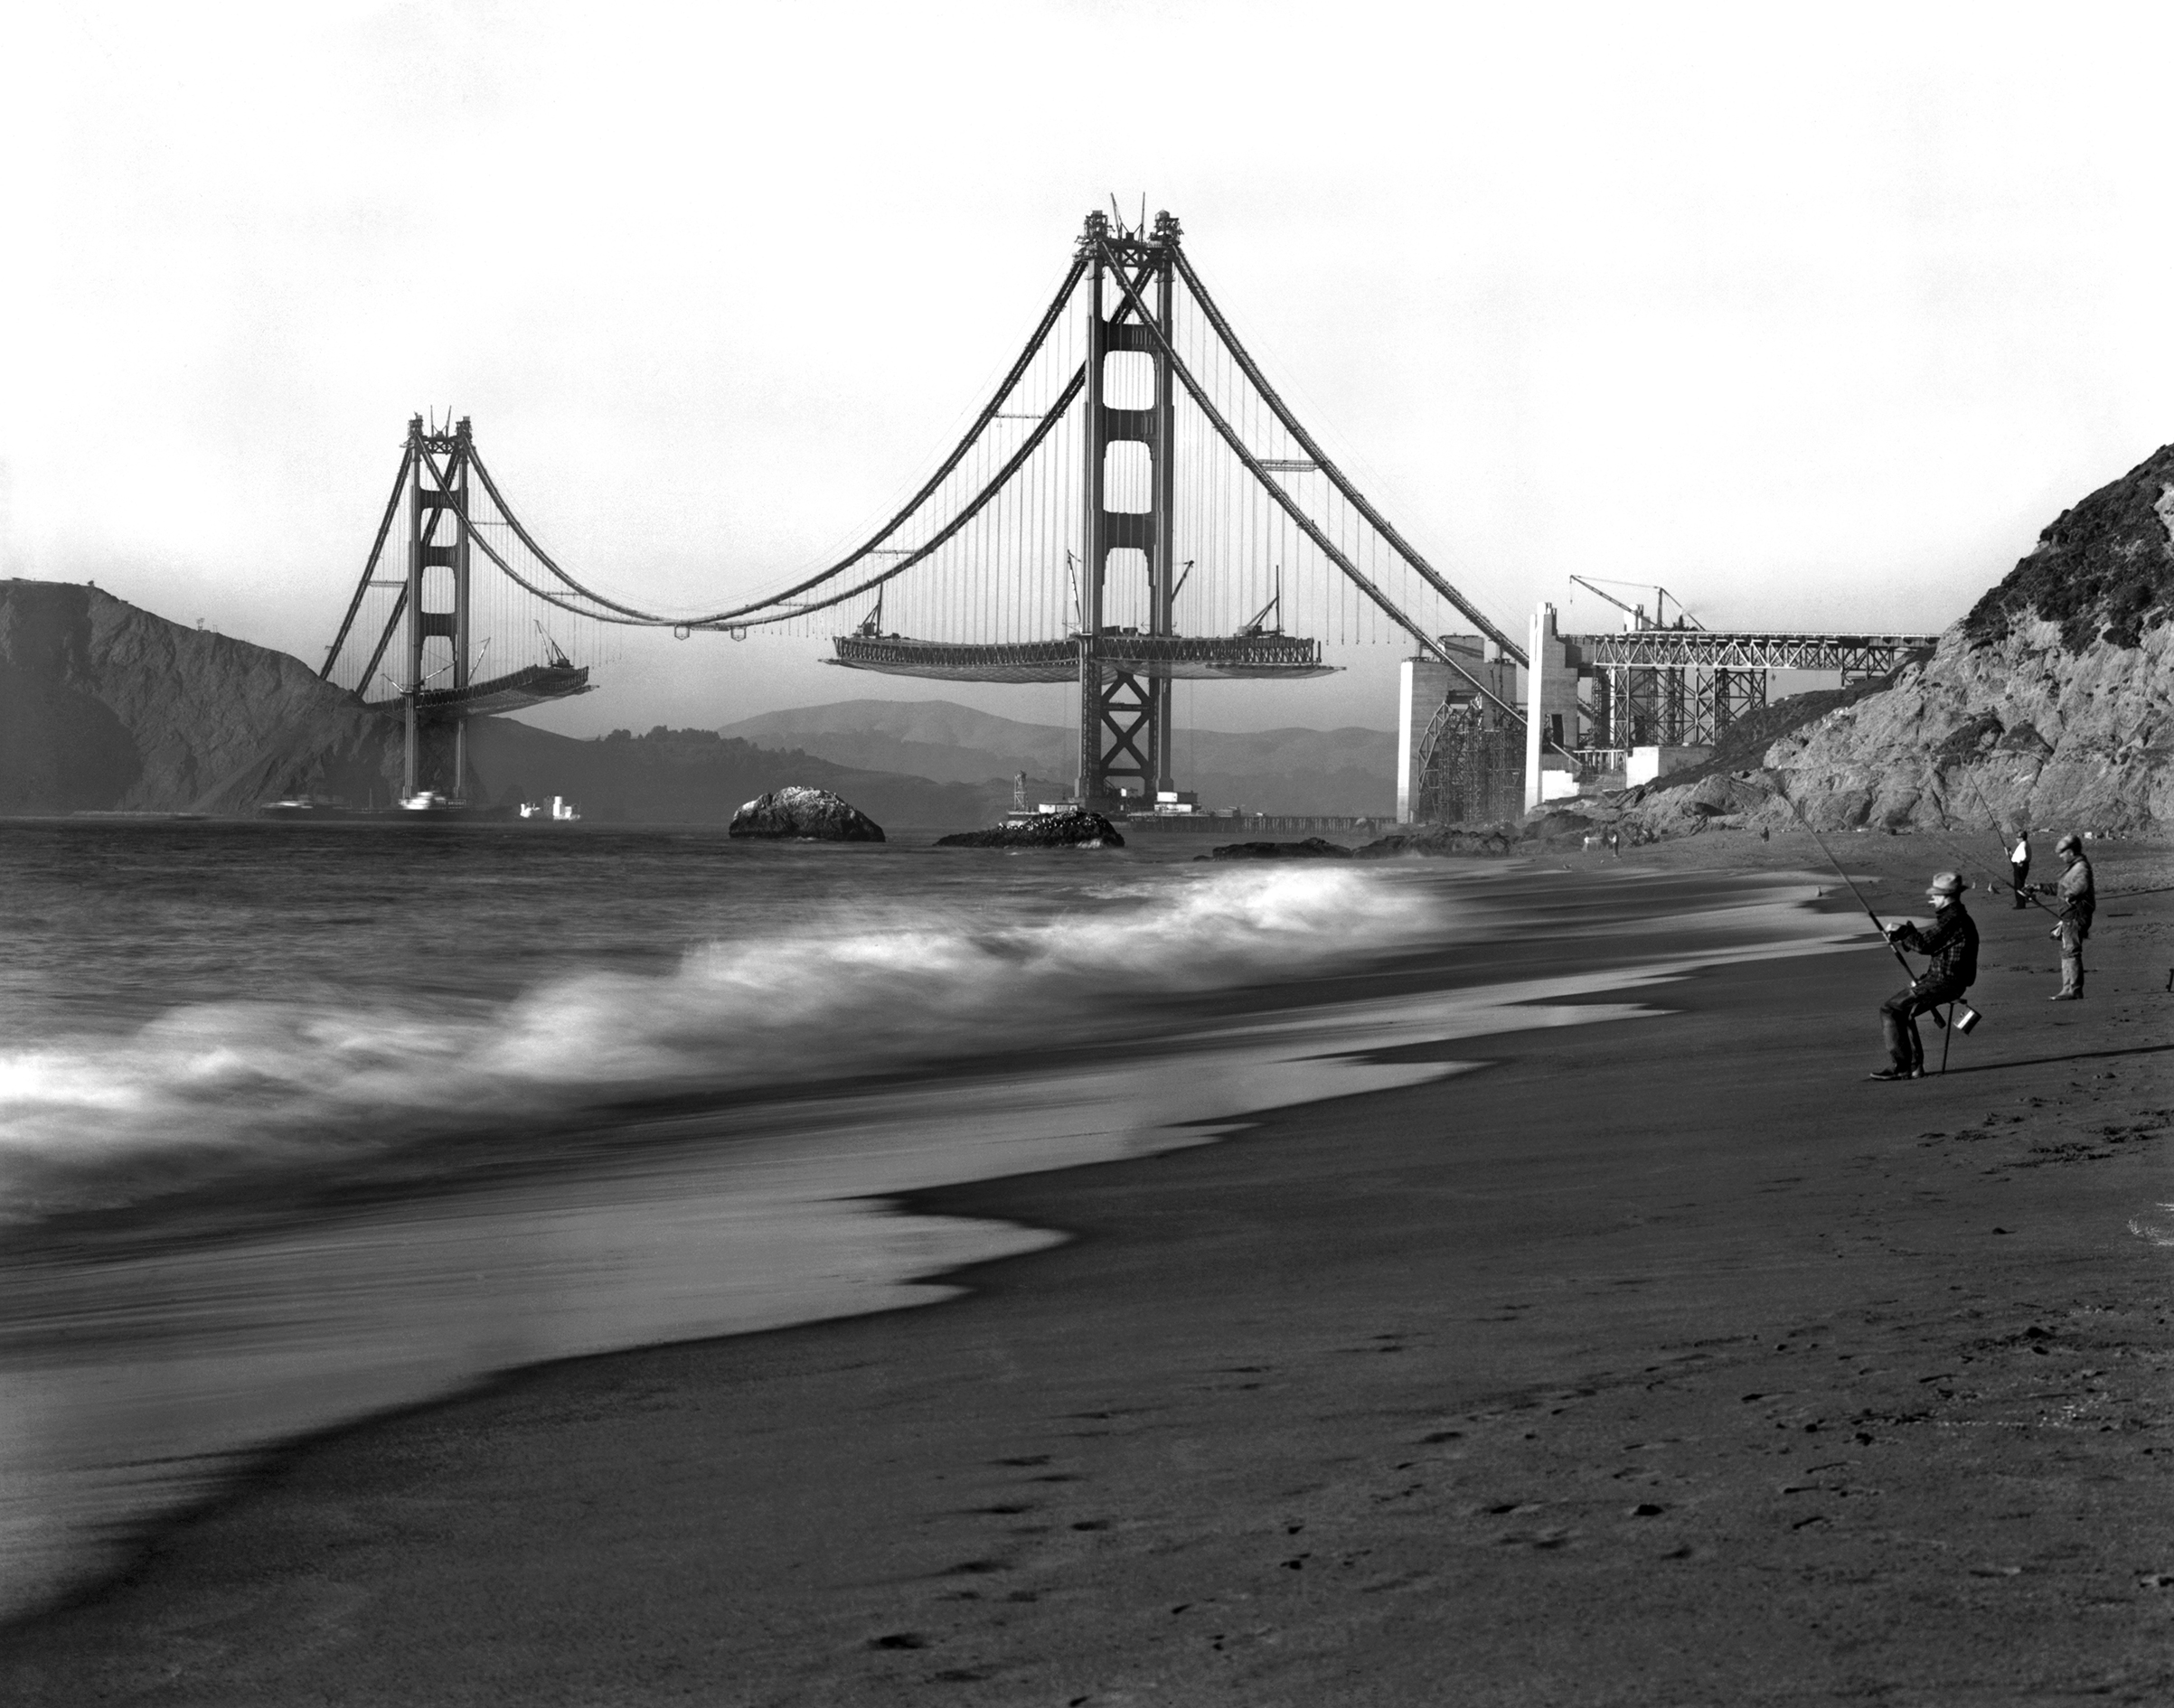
(1814,316)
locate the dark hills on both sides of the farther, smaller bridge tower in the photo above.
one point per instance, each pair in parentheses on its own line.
(105,707)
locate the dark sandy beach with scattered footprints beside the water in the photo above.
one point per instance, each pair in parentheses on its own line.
(1656,1361)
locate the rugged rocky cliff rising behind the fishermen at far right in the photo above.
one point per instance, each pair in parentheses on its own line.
(2047,705)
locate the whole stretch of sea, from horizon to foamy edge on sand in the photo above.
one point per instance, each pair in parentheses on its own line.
(308,1122)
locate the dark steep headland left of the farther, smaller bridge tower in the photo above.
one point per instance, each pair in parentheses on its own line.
(105,707)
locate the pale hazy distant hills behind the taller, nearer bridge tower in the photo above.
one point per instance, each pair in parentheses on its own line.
(1288,770)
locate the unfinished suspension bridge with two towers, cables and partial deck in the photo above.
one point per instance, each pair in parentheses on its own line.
(1132,507)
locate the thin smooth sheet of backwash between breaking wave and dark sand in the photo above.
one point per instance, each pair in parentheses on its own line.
(223,1331)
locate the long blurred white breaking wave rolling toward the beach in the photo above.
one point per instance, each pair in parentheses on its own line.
(236,1088)
